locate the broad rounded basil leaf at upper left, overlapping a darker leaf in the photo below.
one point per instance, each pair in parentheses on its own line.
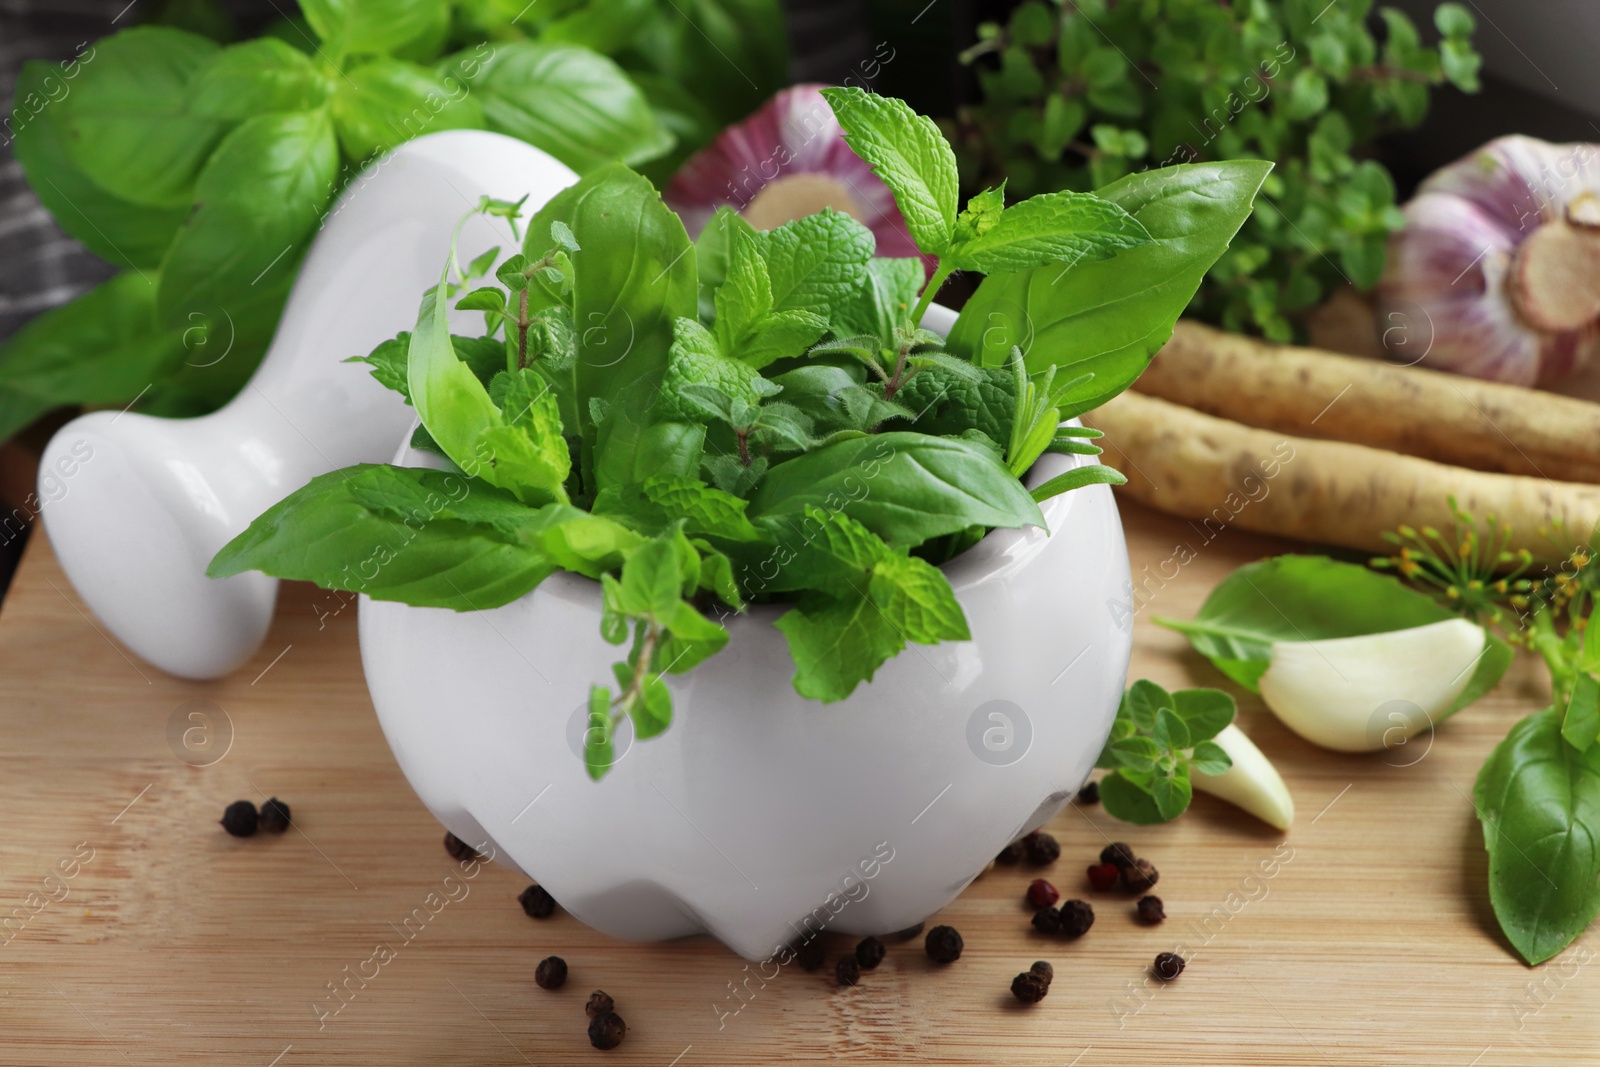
(129,119)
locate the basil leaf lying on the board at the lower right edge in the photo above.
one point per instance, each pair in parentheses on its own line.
(1540,805)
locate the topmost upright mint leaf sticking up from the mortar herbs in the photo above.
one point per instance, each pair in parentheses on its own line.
(910,154)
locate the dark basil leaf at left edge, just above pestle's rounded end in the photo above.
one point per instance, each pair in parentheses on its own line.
(105,350)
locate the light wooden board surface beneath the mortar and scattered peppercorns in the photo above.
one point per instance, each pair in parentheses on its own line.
(135,932)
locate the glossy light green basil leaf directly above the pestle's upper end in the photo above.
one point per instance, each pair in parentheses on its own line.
(574,103)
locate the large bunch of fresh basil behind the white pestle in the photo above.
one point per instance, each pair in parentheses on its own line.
(206,170)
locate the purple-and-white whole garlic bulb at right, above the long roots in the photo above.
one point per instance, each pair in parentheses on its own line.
(1497,273)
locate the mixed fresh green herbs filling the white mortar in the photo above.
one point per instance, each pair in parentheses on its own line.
(758,417)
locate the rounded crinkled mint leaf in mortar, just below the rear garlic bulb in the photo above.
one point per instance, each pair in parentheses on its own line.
(818,263)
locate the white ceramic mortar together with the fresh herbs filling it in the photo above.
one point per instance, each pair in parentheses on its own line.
(673,522)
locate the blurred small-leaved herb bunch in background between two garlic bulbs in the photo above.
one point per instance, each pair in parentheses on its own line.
(1076,95)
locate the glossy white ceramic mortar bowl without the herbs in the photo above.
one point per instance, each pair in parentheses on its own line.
(759,815)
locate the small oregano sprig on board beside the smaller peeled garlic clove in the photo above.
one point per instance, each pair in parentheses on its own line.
(1158,745)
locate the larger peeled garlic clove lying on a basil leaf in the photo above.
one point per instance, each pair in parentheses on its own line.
(1374,692)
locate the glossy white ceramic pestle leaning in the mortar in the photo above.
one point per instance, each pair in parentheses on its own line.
(137,506)
